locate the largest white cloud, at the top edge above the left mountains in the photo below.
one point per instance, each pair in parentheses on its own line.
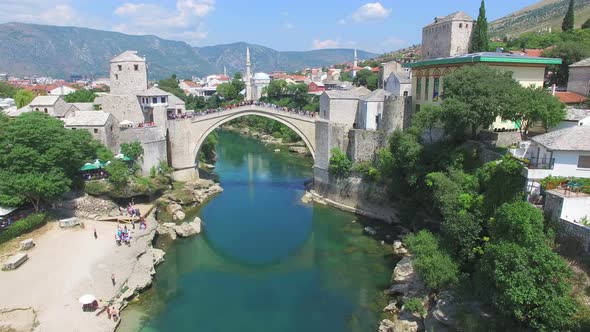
(184,22)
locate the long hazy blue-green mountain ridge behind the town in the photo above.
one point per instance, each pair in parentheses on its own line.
(44,50)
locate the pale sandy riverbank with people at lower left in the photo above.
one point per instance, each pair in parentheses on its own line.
(68,263)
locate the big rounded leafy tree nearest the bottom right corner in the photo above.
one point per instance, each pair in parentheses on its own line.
(530,284)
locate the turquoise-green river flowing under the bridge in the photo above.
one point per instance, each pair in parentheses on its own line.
(265,261)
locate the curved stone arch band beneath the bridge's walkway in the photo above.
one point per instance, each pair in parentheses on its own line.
(309,141)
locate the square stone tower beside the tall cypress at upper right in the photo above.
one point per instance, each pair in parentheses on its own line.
(447,36)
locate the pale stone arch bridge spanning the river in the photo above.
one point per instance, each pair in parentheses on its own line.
(185,136)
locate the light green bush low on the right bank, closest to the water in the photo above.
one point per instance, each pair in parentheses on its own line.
(433,263)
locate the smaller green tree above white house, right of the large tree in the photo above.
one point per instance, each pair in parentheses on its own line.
(533,105)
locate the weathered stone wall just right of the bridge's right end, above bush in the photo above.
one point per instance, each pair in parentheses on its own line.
(363,144)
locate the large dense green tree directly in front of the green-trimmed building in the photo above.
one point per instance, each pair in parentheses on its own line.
(475,95)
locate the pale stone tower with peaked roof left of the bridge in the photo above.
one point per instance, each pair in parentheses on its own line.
(128,74)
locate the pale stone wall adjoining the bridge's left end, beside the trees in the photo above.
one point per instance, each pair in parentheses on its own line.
(153,141)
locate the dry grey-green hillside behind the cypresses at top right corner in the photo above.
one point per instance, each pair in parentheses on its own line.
(542,15)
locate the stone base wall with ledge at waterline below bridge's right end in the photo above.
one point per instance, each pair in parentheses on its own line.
(355,195)
